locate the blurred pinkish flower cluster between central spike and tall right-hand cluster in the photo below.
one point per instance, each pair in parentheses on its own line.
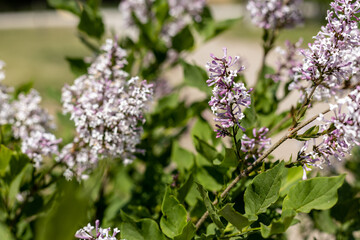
(288,64)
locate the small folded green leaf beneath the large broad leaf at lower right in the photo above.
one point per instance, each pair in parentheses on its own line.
(278,226)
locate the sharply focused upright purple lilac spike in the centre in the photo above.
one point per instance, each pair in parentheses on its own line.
(228,96)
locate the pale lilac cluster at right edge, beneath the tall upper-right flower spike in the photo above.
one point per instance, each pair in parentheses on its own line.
(341,138)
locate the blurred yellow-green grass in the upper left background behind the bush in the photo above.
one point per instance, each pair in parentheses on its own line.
(38,55)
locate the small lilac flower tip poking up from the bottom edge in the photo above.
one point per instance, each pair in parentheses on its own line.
(87,232)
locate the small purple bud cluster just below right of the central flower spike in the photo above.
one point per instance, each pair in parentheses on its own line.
(255,146)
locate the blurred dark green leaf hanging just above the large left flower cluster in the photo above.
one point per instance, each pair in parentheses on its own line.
(91,23)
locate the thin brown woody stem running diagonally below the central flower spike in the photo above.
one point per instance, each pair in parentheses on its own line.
(256,163)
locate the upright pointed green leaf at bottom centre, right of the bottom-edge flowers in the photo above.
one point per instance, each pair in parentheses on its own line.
(173,220)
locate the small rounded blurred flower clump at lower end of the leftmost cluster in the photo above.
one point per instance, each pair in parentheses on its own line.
(40,144)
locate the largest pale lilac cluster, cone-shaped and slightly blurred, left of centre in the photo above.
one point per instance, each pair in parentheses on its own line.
(107,109)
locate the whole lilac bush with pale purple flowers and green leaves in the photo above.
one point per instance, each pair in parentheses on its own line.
(128,162)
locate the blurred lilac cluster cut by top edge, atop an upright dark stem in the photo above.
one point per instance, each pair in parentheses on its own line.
(275,14)
